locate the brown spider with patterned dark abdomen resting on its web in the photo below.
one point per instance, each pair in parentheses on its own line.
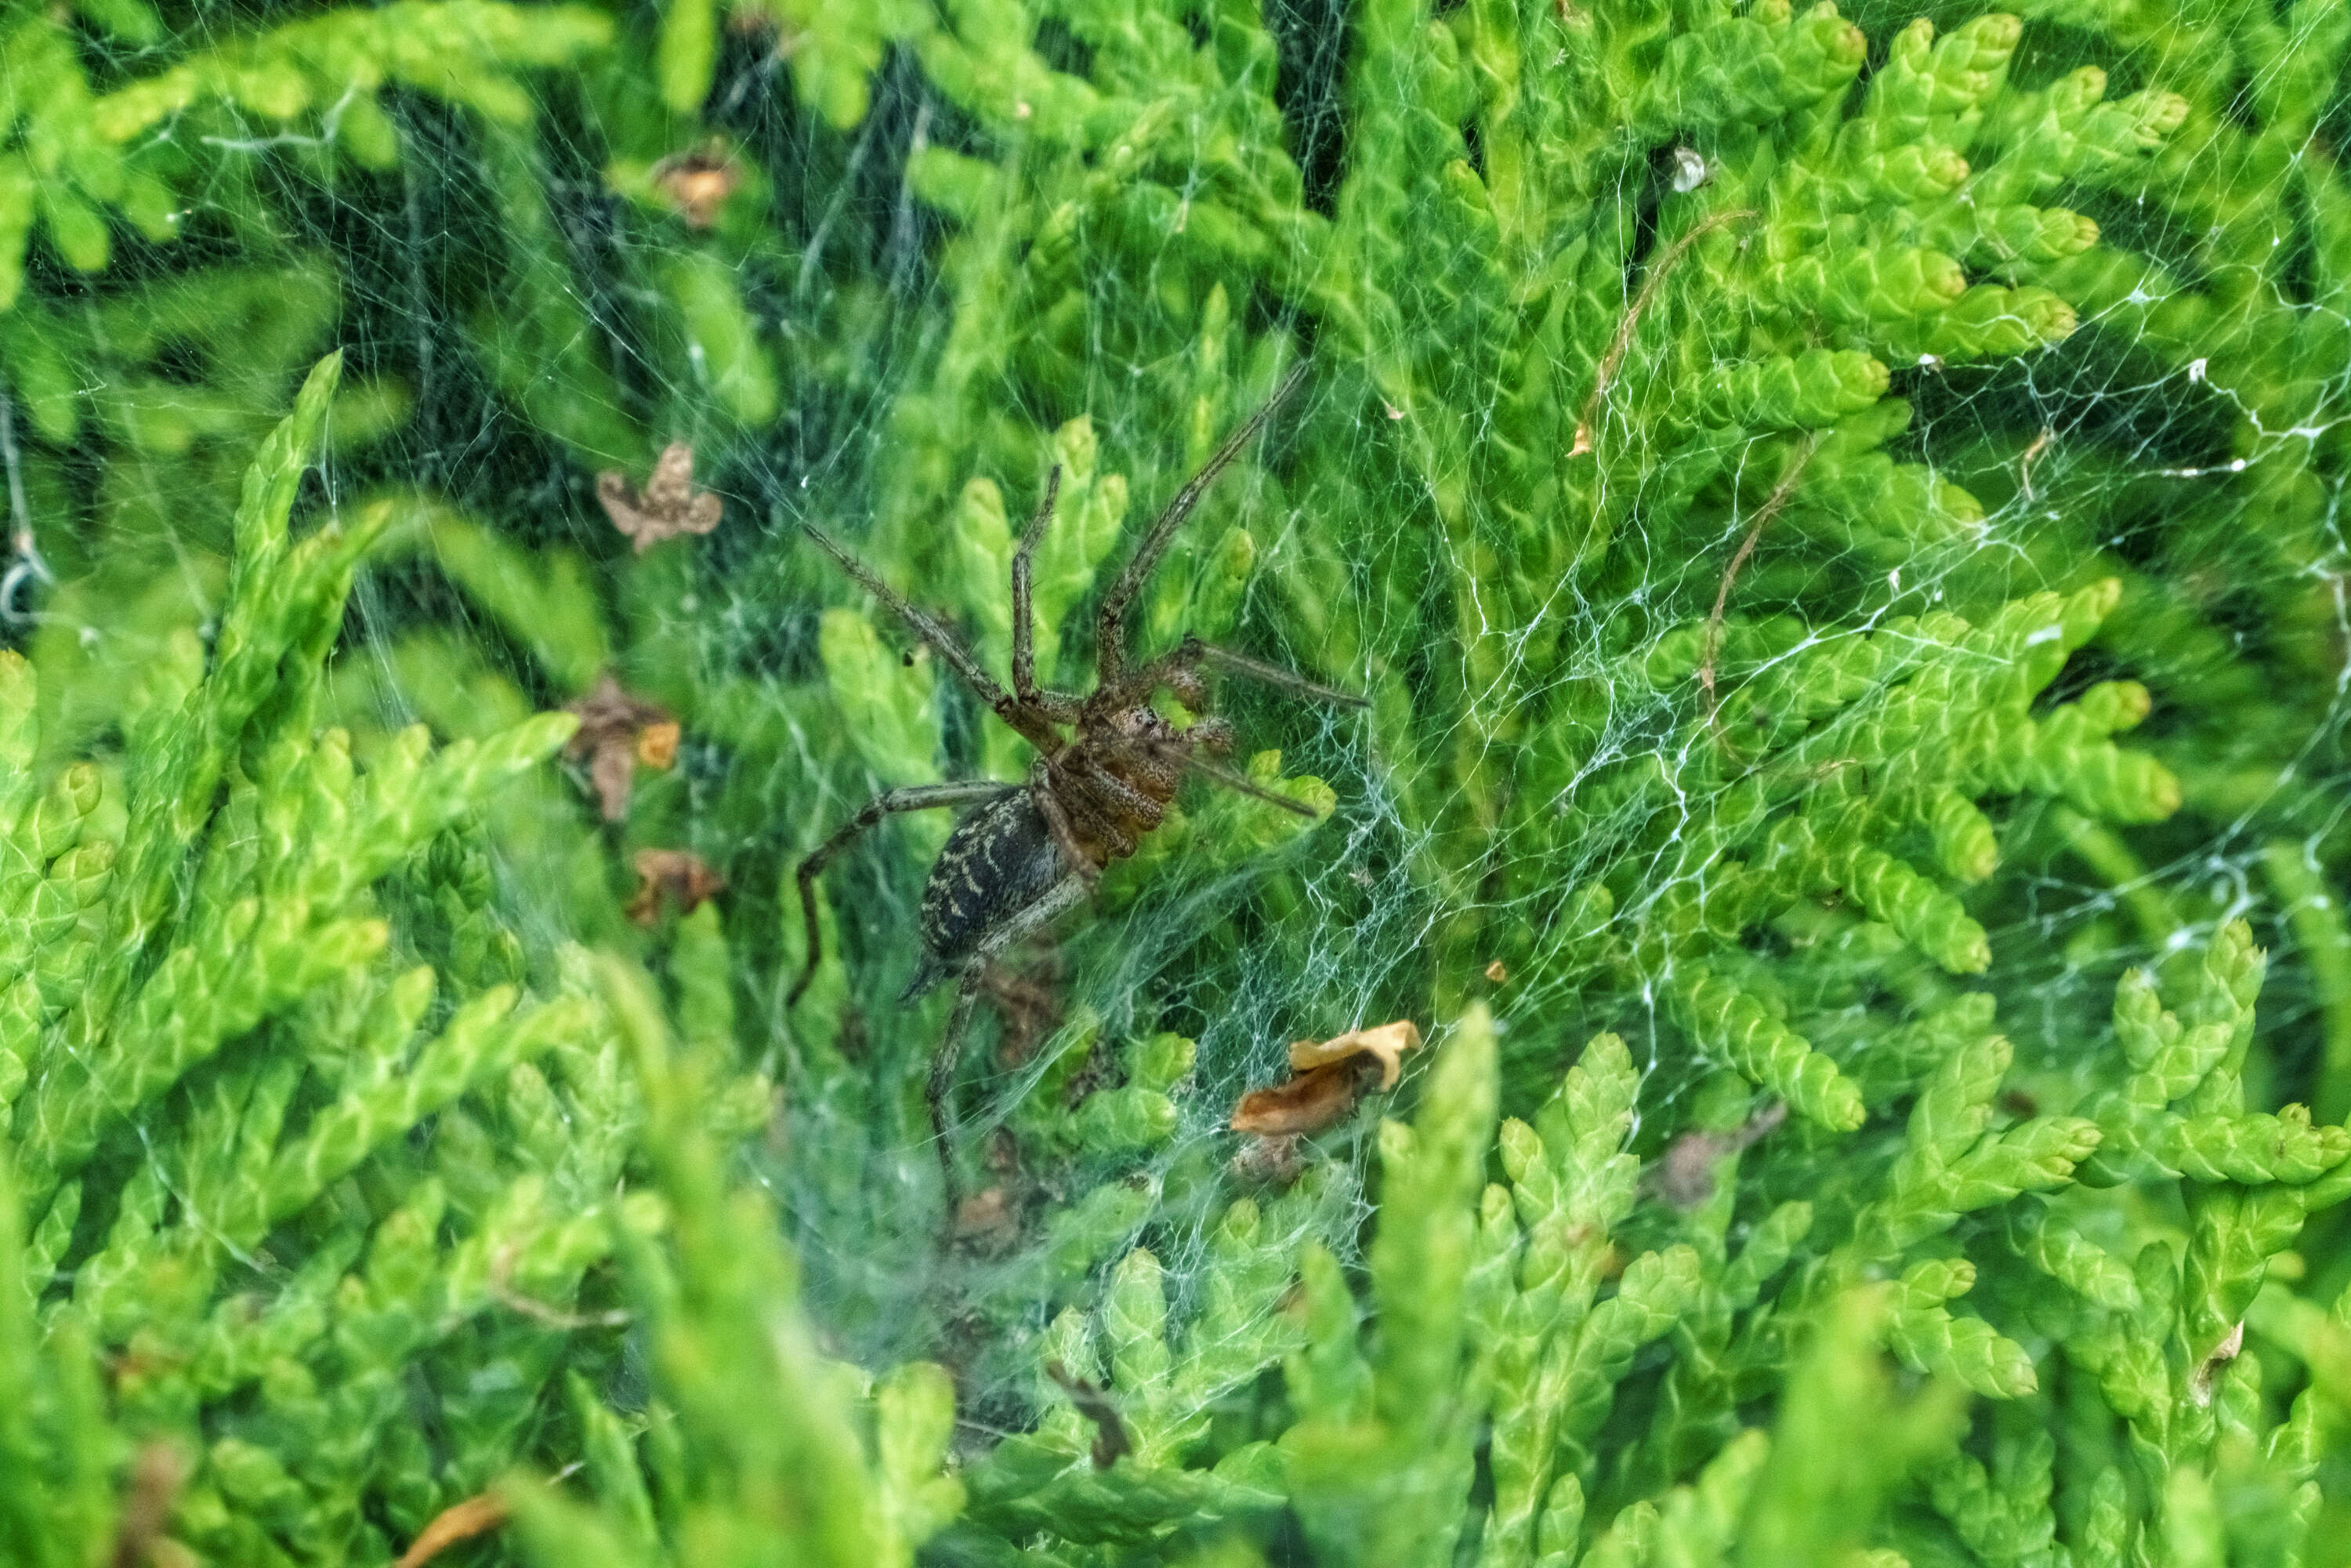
(1036,850)
